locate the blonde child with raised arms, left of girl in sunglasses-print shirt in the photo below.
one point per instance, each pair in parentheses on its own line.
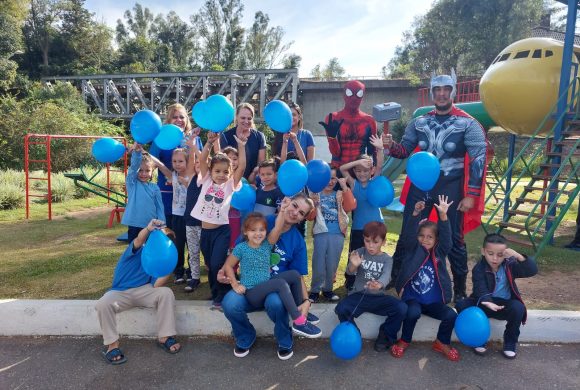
(183,164)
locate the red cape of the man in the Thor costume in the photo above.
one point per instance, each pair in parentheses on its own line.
(472,218)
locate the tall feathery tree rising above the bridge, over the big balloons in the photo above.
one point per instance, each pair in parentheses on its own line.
(221,34)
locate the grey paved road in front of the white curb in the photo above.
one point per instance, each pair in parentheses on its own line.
(75,363)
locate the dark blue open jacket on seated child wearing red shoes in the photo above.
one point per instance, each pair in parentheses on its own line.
(416,256)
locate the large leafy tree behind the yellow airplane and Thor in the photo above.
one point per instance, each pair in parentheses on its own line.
(466,35)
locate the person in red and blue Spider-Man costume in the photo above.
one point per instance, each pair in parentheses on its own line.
(348,131)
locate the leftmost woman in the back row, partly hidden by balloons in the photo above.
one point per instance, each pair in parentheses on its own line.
(176,115)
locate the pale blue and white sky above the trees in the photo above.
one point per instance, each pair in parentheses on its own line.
(362,34)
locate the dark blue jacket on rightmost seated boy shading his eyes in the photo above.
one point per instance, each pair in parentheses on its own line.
(484,279)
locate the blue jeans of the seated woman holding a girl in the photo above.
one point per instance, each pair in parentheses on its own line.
(236,309)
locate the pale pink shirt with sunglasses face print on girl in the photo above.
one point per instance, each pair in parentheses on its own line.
(214,200)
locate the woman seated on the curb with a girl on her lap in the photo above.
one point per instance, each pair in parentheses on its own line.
(291,250)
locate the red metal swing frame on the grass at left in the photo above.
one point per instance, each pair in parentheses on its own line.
(46,140)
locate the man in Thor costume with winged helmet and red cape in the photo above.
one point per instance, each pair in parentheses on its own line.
(459,142)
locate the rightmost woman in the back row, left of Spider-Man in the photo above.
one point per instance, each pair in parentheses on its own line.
(299,135)
